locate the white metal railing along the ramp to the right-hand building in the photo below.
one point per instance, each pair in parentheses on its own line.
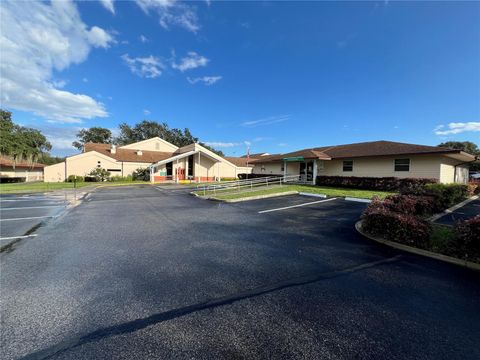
(246,184)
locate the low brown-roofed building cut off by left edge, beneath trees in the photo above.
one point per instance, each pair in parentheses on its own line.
(20,171)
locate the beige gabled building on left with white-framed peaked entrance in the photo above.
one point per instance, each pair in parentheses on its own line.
(166,161)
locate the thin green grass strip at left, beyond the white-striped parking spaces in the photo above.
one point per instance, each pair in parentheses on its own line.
(19,188)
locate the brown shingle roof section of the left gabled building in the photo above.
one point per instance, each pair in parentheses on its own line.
(128,155)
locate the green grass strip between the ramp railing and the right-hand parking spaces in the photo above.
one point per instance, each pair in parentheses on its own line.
(329,191)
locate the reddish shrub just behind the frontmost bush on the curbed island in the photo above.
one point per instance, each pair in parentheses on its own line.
(411,205)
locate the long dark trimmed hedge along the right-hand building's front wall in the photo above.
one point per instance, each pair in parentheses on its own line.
(374,183)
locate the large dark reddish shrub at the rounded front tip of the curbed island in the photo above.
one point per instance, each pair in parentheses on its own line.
(378,220)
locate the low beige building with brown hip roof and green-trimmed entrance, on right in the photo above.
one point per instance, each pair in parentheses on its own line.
(370,159)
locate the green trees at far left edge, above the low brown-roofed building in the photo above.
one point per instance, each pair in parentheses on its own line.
(19,142)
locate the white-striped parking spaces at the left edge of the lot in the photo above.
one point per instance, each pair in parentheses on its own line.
(20,215)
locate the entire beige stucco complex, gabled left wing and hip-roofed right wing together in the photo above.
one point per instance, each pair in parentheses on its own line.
(194,162)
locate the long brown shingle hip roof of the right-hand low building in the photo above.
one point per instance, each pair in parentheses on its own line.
(365,149)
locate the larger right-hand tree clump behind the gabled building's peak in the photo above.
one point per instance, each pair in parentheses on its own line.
(148,129)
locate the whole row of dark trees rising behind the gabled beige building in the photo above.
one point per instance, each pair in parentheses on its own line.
(141,131)
